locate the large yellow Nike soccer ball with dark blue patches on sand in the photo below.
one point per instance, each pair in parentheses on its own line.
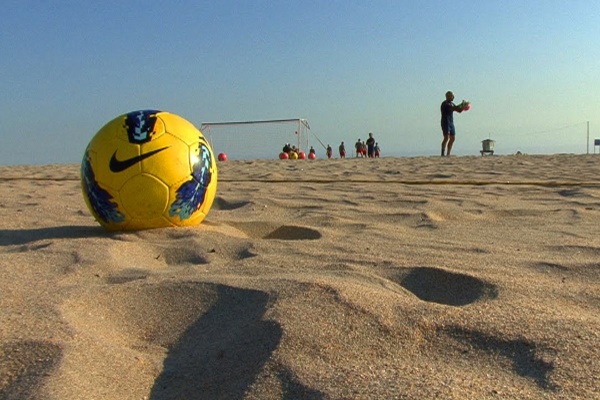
(148,169)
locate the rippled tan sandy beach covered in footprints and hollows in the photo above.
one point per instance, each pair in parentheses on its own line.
(392,278)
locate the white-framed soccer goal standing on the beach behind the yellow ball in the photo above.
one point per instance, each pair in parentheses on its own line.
(256,139)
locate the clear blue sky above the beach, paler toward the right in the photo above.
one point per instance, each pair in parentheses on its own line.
(530,68)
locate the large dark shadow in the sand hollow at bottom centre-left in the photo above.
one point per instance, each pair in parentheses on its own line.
(223,352)
